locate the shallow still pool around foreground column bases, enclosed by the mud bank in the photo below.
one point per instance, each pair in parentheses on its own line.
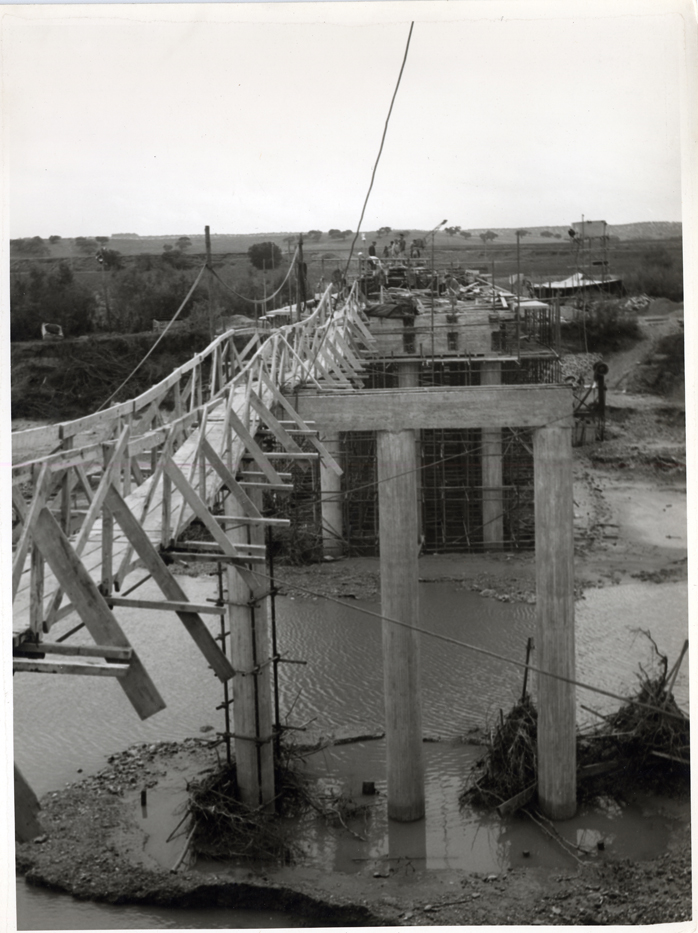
(453,838)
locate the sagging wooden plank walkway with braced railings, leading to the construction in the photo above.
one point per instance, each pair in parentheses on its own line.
(162,460)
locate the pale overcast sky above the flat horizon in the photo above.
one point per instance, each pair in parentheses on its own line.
(254,118)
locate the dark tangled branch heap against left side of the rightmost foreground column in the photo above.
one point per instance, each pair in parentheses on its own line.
(509,765)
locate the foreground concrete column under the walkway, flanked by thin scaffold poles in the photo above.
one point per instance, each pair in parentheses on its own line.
(250,651)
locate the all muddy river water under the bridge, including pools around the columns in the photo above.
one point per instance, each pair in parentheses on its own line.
(66,726)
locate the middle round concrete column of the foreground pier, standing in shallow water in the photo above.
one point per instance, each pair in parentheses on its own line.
(397,496)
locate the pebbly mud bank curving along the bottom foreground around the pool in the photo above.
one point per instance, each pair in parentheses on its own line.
(96,847)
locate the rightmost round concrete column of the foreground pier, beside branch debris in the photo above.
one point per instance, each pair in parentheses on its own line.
(552,452)
